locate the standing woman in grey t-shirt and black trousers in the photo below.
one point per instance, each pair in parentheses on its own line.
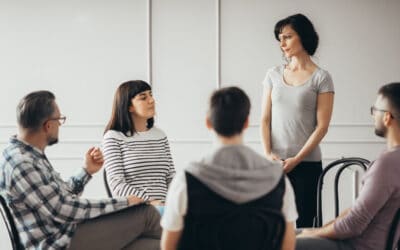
(297,108)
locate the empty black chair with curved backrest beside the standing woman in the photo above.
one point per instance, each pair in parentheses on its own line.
(341,164)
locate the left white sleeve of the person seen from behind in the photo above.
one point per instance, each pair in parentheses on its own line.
(176,204)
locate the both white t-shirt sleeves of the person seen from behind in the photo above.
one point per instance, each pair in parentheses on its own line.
(177,199)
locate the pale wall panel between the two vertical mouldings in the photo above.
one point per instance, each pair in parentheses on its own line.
(184,64)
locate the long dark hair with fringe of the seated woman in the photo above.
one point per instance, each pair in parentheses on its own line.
(121,119)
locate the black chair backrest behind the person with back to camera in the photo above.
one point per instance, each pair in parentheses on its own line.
(257,229)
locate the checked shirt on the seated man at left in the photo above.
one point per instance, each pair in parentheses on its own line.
(45,208)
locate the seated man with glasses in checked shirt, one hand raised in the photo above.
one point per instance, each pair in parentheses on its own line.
(48,212)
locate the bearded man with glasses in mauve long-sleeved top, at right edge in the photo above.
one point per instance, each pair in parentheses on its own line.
(366,225)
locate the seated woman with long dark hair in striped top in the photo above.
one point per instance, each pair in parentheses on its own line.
(137,156)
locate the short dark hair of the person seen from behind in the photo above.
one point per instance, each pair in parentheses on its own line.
(228,111)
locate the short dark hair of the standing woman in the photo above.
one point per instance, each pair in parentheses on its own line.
(303,27)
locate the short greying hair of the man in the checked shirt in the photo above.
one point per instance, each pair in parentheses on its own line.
(34,109)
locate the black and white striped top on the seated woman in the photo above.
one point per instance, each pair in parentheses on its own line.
(139,165)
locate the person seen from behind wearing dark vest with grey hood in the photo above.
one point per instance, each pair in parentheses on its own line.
(232,177)
